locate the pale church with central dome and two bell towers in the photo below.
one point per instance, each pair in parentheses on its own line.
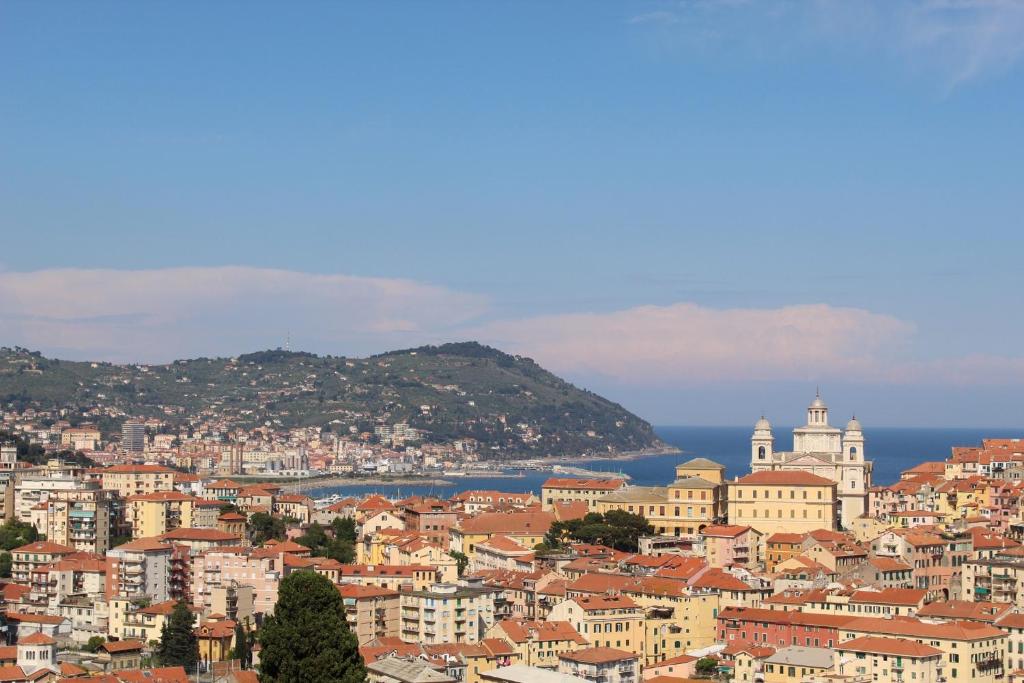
(823,450)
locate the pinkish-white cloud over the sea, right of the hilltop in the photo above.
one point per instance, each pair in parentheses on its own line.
(686,343)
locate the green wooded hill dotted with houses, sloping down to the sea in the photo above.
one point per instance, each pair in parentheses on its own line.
(508,404)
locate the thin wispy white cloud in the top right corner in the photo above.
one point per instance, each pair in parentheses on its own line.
(957,41)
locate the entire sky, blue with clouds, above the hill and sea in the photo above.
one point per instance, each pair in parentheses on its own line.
(699,208)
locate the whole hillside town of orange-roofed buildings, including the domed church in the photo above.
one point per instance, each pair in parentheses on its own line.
(801,571)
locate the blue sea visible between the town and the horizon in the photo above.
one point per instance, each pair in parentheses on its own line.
(891,449)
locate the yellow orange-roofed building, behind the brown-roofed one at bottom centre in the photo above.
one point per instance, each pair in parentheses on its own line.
(606,621)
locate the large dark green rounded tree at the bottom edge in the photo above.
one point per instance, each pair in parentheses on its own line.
(308,641)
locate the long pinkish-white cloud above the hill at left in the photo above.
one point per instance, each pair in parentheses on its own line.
(179,313)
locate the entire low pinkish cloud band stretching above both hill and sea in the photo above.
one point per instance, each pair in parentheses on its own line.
(158,316)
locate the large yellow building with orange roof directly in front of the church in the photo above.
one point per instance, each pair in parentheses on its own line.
(777,501)
